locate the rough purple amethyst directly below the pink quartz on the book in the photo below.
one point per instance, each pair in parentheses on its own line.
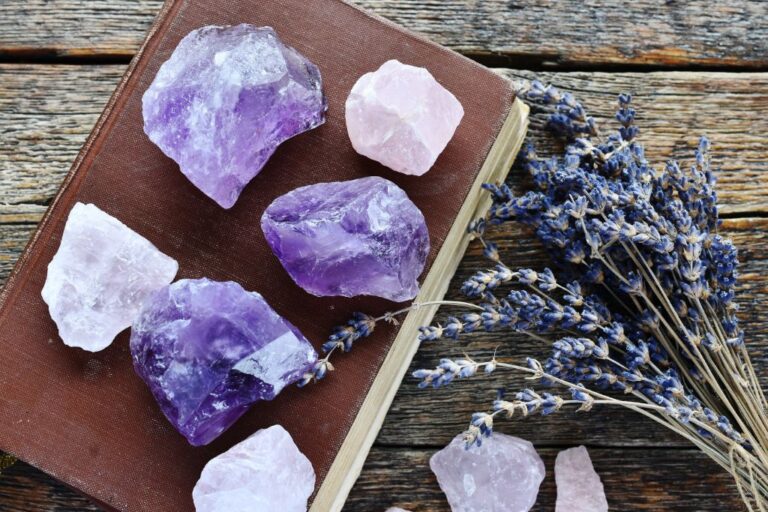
(358,237)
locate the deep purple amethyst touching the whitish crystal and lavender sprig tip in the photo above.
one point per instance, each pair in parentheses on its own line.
(208,350)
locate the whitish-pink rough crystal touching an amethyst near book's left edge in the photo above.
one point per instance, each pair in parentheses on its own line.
(100,276)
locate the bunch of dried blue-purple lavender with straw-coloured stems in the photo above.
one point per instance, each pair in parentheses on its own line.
(638,307)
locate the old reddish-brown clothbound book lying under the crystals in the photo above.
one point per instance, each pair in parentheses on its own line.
(88,419)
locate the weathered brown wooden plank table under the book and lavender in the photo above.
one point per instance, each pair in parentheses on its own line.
(693,66)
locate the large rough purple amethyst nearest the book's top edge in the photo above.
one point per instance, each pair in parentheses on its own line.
(224,101)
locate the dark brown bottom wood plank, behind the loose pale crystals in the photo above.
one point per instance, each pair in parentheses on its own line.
(638,480)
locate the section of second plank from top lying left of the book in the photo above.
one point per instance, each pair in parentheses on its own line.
(48,111)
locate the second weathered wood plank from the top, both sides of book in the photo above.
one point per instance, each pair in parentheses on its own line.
(49,110)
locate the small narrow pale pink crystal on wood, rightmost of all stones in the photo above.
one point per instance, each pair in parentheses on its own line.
(579,488)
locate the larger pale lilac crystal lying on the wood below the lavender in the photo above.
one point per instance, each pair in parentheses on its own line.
(501,475)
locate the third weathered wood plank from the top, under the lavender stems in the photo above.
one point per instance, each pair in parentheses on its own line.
(432,417)
